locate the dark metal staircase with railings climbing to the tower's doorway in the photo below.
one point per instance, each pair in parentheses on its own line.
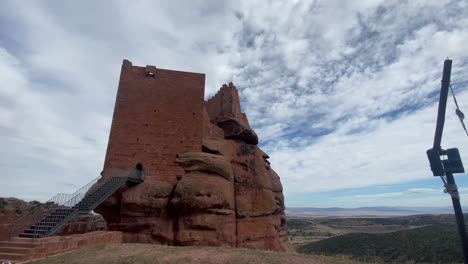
(81,202)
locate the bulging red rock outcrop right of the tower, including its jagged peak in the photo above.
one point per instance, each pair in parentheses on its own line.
(229,194)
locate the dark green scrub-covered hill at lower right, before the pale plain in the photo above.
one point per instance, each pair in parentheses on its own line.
(429,244)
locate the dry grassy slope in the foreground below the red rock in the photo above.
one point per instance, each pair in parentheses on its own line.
(151,253)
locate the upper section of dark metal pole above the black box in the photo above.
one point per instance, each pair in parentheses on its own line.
(442,103)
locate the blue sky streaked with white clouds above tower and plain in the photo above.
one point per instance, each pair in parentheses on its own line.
(343,94)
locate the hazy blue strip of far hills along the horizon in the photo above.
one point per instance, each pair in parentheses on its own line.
(369,211)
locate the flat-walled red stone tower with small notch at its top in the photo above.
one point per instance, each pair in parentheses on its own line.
(157,115)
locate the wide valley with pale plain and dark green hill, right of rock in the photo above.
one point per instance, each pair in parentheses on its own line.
(412,238)
